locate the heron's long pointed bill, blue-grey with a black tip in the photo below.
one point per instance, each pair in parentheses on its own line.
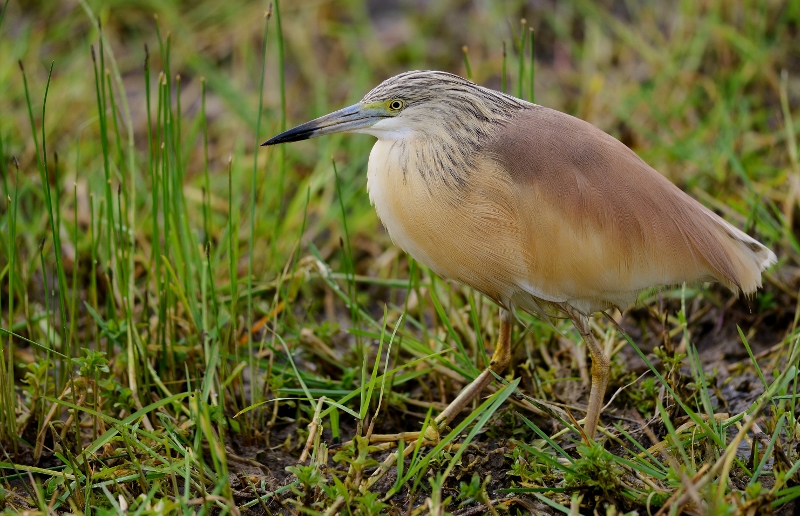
(352,118)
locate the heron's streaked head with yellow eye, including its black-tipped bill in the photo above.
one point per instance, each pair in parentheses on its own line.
(418,103)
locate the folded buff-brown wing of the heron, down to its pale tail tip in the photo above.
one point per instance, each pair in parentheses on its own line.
(600,225)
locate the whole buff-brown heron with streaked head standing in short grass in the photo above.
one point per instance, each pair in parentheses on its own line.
(536,209)
